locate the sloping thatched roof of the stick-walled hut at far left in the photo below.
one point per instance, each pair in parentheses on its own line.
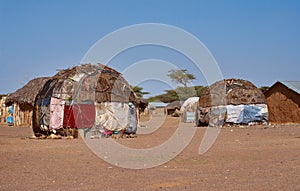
(26,94)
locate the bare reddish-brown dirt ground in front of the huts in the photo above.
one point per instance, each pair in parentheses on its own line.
(242,158)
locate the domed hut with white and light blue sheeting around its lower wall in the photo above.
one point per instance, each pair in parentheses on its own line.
(231,101)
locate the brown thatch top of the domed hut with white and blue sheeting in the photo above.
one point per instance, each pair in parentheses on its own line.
(231,91)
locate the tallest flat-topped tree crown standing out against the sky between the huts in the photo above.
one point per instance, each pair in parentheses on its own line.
(181,76)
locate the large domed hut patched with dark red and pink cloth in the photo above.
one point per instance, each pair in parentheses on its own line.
(85,96)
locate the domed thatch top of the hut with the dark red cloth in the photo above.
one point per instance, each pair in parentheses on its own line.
(98,83)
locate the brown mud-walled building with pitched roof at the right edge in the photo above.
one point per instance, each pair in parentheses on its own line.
(283,99)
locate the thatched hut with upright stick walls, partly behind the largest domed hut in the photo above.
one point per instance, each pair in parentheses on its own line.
(22,101)
